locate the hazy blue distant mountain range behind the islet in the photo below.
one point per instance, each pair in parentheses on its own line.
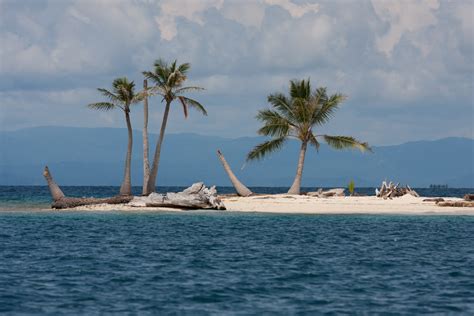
(94,156)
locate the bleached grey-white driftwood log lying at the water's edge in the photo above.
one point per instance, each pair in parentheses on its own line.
(197,196)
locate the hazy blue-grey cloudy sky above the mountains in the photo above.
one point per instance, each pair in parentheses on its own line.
(406,66)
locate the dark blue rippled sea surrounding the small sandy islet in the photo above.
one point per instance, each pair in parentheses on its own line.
(222,263)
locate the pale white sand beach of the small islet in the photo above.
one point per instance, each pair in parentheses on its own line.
(312,205)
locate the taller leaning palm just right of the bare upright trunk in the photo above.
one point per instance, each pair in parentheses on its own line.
(168,82)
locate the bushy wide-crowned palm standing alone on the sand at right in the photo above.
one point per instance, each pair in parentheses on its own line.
(295,116)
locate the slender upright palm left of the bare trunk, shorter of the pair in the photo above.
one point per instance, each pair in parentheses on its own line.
(122,96)
